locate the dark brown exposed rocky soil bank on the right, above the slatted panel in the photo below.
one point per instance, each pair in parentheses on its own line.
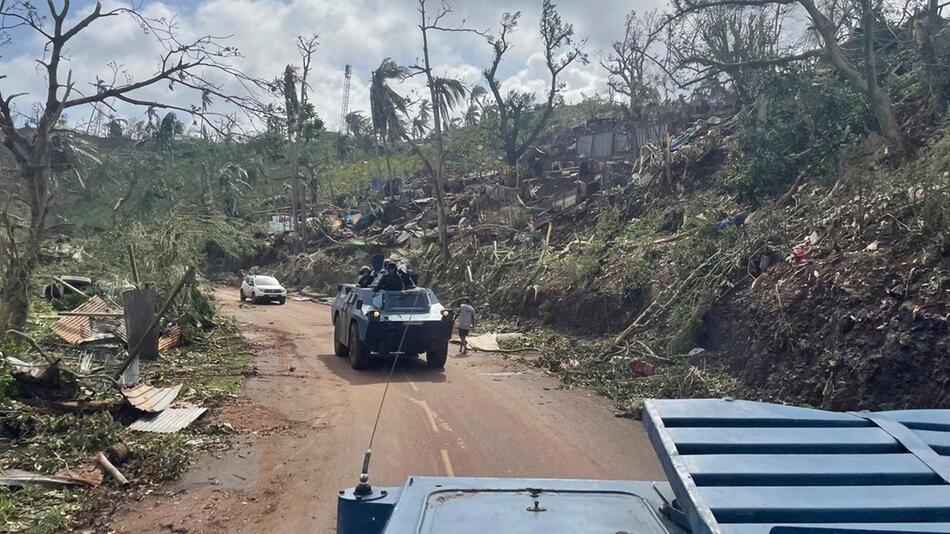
(841,334)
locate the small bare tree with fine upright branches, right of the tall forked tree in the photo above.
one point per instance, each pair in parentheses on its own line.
(629,61)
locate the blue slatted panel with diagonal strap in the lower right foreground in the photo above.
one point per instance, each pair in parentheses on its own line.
(741,467)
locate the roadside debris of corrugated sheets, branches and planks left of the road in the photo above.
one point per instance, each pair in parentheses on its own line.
(89,394)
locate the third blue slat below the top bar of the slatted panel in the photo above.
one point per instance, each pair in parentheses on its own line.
(828,504)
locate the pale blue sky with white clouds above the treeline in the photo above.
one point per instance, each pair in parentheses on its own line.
(358,32)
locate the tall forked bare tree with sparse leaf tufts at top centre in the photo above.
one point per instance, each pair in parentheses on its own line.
(519,121)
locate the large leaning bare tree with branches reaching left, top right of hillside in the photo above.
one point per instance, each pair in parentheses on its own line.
(862,75)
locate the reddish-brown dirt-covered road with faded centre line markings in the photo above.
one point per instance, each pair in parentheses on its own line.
(306,419)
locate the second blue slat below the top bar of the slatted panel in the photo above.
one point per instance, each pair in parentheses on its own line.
(808,470)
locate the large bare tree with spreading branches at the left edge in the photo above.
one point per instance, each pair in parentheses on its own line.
(185,64)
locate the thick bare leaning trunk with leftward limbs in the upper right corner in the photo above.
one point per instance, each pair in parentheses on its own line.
(860,69)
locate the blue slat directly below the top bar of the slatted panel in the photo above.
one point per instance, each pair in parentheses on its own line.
(783,440)
